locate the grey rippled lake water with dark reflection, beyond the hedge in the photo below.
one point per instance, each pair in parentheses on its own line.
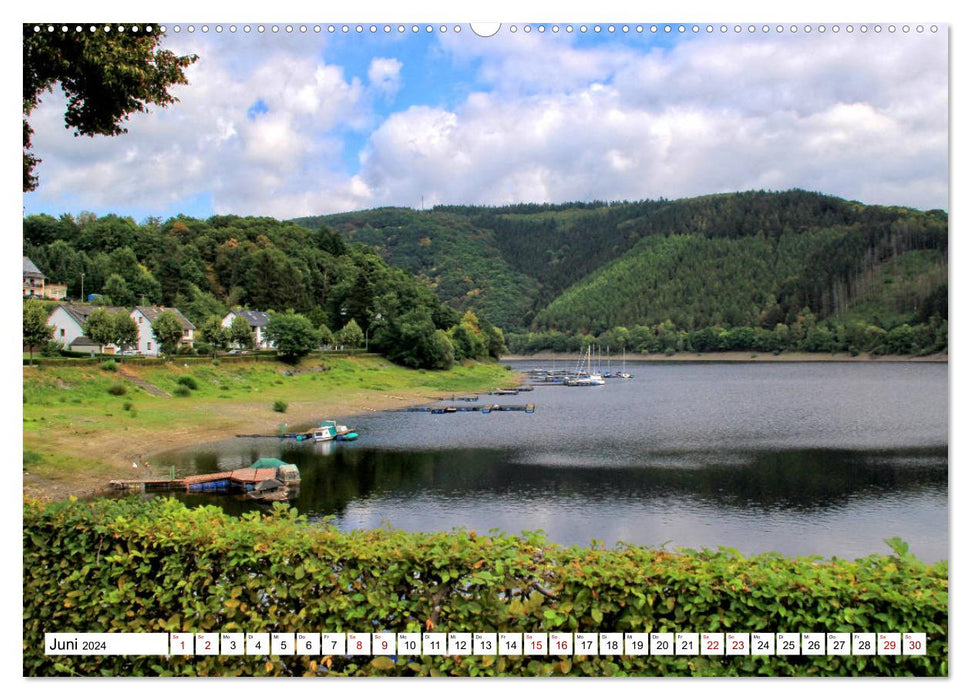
(814,458)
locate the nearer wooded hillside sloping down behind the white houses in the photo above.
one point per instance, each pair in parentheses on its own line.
(205,267)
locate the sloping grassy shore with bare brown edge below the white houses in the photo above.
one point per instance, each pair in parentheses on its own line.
(78,434)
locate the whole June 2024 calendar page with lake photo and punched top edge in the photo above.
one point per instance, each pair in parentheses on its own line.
(432,348)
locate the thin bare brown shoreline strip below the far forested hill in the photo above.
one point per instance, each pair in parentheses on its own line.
(732,357)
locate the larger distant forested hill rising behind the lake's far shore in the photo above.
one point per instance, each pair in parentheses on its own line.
(747,260)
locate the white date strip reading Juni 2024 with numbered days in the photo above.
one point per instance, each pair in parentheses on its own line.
(486,644)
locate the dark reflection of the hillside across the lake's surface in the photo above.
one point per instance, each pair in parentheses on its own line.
(802,480)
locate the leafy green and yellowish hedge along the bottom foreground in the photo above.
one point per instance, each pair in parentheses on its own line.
(154,565)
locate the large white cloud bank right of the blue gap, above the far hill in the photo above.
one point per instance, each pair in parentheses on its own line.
(852,116)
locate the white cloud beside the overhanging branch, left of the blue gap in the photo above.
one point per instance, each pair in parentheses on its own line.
(210,141)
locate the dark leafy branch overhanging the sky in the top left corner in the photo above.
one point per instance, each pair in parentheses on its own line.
(106,76)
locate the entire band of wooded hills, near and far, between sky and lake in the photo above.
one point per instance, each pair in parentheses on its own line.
(760,271)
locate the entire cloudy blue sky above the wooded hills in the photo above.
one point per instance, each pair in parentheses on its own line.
(313,122)
